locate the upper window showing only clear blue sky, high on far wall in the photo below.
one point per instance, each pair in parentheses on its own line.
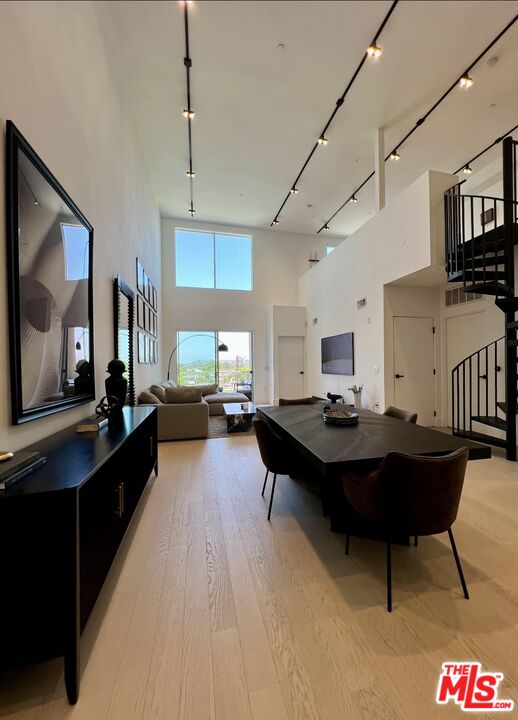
(213,260)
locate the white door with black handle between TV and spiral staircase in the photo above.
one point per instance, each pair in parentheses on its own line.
(414,379)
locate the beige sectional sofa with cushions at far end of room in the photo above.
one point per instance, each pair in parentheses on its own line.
(183,413)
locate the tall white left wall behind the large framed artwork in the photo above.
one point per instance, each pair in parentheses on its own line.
(57,87)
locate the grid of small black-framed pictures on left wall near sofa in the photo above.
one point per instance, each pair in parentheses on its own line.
(147,318)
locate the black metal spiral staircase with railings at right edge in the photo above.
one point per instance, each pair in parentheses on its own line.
(481,234)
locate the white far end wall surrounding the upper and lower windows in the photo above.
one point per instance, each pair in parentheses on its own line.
(278,261)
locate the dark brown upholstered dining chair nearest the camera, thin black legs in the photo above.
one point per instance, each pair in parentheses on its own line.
(410,495)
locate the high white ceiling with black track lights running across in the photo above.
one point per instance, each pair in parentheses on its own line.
(265,78)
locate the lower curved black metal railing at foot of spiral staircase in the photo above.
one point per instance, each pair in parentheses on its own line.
(477,386)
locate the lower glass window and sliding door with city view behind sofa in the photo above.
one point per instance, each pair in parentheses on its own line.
(200,363)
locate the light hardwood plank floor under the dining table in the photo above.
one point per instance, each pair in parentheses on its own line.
(212,613)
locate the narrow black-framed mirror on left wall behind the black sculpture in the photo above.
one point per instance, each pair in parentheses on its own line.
(123,331)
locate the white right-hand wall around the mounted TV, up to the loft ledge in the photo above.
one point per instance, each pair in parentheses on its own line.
(405,237)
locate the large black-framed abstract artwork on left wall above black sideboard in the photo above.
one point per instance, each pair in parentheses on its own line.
(50,254)
